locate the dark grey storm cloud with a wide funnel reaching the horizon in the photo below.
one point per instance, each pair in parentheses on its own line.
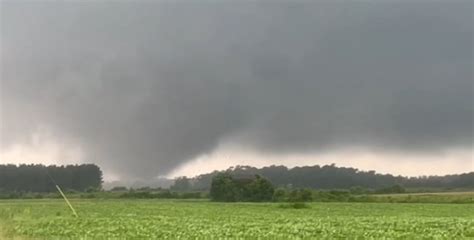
(146,86)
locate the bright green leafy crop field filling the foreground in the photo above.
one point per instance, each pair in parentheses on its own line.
(173,219)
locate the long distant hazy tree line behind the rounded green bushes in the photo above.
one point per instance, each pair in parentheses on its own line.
(328,177)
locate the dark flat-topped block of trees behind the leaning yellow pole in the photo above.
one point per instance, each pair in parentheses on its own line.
(34,178)
